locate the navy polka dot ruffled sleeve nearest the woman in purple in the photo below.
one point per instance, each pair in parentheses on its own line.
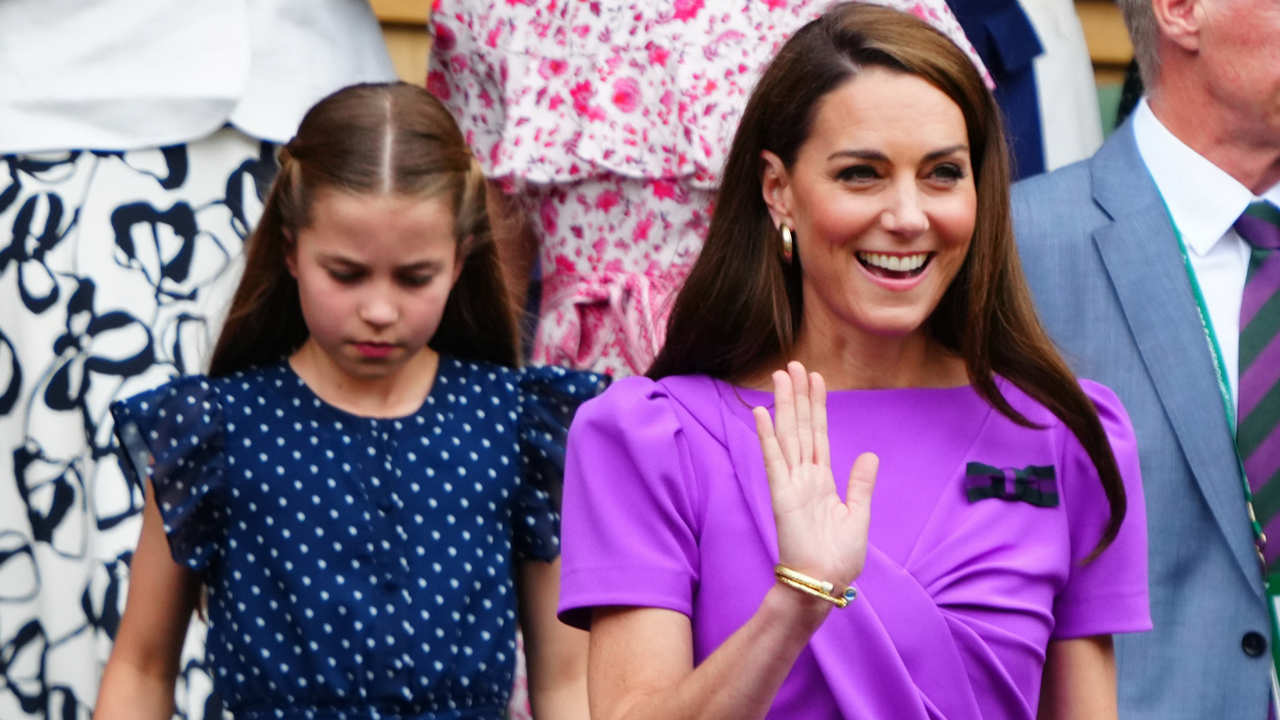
(550,397)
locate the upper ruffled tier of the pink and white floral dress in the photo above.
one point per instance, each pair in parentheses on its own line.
(556,93)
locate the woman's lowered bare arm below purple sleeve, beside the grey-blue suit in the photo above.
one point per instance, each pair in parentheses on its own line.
(1080,681)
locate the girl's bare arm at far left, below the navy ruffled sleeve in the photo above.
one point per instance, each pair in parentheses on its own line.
(140,676)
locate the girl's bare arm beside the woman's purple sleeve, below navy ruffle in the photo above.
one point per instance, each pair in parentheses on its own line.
(556,654)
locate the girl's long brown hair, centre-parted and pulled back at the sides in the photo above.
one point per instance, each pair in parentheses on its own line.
(371,139)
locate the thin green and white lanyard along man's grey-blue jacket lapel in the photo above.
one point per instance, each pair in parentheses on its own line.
(1272,584)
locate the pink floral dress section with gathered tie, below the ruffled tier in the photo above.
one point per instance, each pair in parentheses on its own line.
(614,250)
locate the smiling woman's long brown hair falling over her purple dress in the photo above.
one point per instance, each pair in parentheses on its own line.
(742,307)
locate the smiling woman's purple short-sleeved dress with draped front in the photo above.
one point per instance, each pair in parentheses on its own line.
(977,539)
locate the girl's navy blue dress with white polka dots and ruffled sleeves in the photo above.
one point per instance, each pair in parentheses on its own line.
(358,567)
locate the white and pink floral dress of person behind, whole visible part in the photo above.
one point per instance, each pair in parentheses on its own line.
(611,121)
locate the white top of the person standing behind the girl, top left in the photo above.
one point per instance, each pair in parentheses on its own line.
(135,74)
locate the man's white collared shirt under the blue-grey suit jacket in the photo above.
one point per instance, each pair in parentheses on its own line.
(1205,203)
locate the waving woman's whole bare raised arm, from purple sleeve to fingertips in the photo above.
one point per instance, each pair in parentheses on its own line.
(642,660)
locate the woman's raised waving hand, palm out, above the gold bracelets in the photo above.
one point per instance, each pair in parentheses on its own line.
(819,535)
